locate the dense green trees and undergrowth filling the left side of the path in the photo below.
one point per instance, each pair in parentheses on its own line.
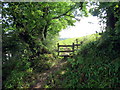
(29,31)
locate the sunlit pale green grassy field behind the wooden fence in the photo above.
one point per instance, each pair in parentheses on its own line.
(70,41)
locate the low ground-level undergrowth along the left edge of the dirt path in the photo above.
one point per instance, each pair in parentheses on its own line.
(20,74)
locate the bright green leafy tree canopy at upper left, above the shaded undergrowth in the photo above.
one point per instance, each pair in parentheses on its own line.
(31,23)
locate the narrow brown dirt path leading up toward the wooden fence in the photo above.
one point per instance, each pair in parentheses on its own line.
(41,78)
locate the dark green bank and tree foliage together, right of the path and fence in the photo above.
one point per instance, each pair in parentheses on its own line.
(97,63)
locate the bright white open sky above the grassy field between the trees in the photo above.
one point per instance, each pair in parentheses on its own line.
(86,26)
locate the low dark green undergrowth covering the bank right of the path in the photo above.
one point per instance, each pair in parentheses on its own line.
(92,66)
